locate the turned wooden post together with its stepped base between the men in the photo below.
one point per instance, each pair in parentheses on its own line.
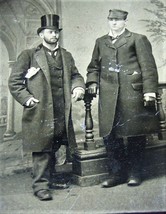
(89,164)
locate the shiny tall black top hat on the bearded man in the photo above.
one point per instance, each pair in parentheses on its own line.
(49,21)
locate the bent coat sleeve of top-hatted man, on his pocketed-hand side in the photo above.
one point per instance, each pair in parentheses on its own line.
(16,80)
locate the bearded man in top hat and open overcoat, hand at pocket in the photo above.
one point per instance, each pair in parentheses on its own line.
(42,80)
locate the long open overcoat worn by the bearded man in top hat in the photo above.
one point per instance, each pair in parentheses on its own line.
(37,121)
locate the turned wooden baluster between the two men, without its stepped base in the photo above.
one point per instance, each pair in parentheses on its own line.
(89,137)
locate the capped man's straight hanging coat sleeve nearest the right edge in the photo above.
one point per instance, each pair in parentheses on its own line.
(147,64)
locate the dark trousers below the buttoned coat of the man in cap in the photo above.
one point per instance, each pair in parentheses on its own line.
(125,156)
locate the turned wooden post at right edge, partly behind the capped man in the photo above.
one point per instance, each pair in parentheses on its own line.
(162,133)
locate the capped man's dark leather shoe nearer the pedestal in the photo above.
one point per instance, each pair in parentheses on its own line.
(113,181)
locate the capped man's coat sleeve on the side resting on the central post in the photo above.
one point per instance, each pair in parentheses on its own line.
(94,66)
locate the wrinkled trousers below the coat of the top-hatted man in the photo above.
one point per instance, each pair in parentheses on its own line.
(43,168)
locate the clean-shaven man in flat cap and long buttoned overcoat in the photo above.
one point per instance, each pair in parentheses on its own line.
(124,70)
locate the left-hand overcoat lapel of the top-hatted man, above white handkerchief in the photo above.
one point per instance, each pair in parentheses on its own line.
(42,61)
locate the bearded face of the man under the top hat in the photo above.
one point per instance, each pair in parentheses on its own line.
(50,36)
